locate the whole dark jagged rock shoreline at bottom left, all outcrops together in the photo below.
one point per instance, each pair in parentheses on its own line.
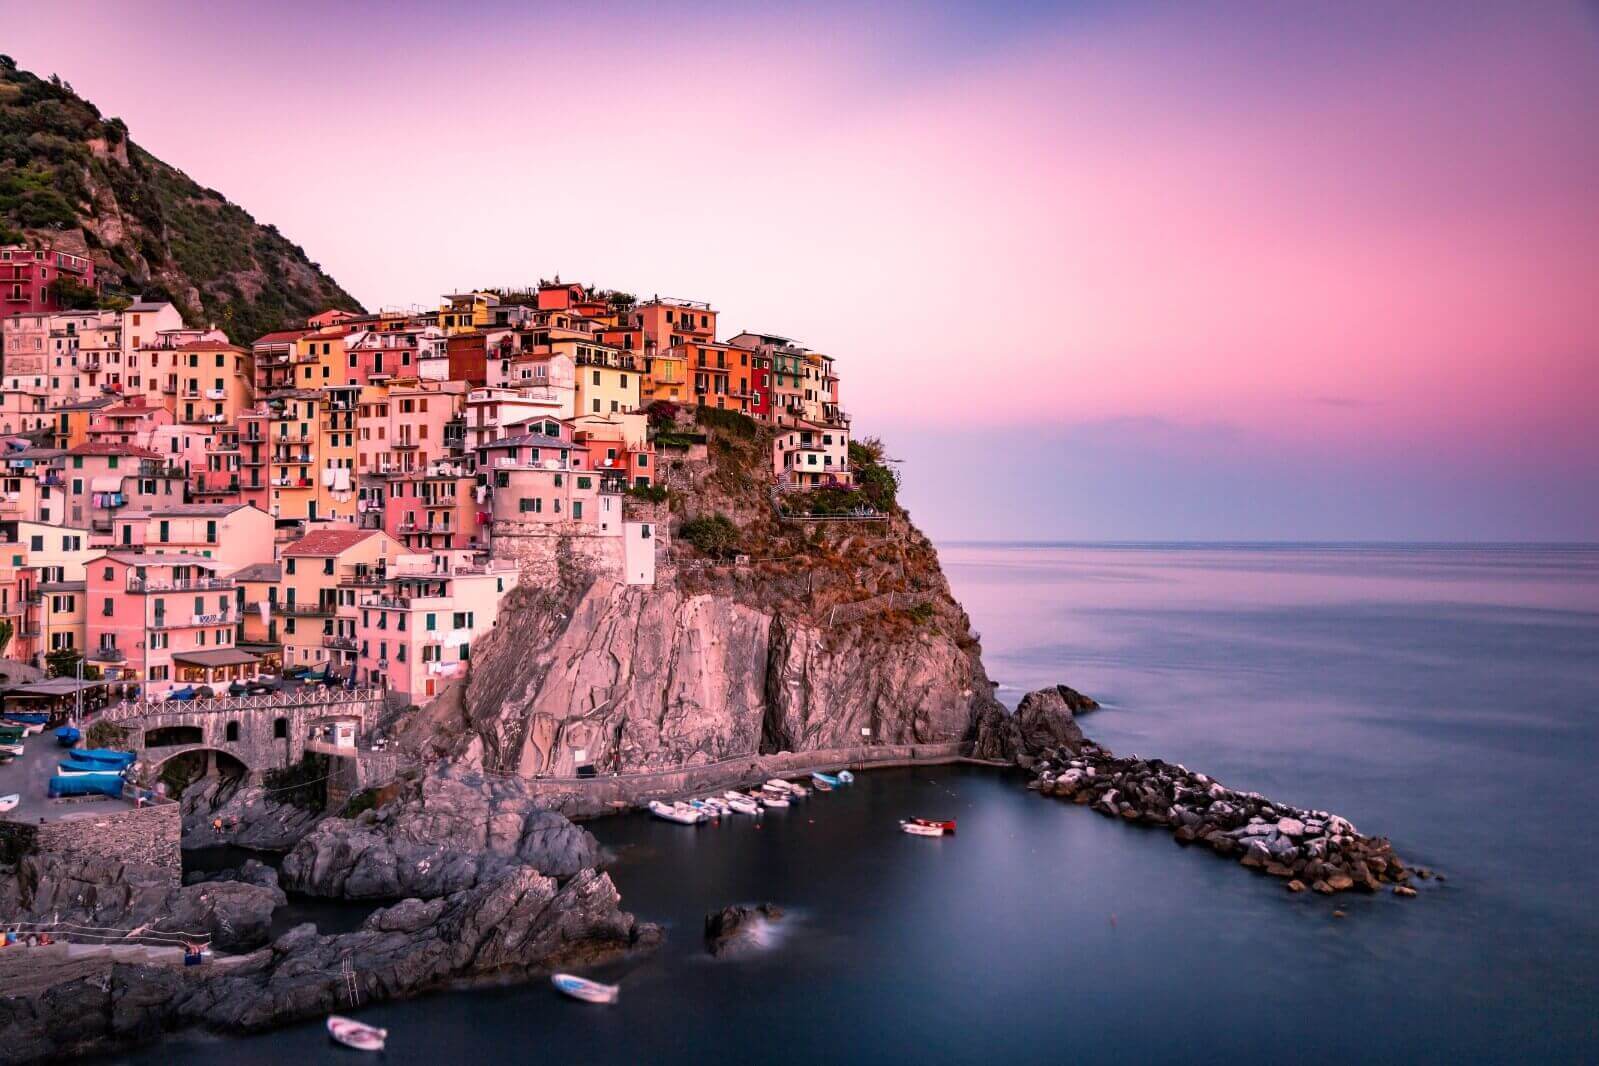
(482,885)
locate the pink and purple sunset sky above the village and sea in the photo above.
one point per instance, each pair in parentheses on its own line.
(1093,271)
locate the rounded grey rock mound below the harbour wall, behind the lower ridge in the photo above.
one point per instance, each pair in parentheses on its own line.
(450,832)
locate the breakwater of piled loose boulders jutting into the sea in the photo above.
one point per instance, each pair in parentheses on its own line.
(1304,848)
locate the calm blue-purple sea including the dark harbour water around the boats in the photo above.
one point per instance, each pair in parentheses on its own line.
(1446,698)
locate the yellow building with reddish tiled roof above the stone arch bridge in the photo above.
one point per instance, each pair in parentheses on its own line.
(319,591)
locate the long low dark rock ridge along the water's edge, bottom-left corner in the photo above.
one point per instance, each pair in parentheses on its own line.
(512,926)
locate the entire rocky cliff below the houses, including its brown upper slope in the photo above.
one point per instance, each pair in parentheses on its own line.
(802,637)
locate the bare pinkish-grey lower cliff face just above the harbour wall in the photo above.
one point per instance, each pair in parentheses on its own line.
(632,678)
